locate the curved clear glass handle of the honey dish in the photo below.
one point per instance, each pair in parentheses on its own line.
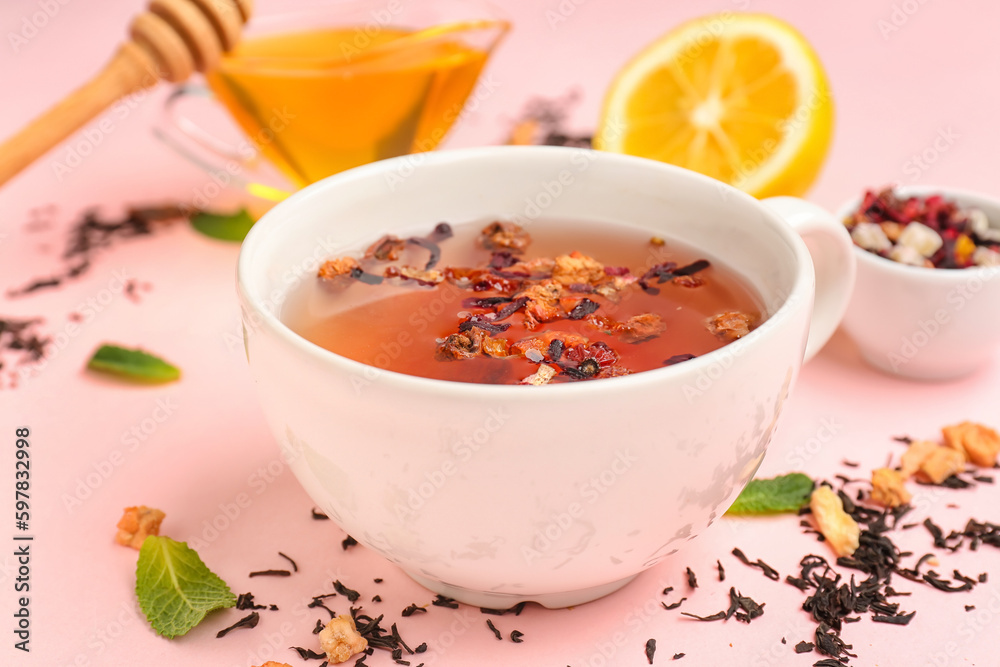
(206,151)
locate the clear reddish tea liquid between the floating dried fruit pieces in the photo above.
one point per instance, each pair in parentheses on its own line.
(402,326)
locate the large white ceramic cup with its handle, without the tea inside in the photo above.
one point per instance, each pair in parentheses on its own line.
(559,494)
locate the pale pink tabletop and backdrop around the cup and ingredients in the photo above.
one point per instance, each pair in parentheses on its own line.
(895,94)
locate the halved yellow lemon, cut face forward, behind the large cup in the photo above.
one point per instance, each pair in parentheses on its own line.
(739,97)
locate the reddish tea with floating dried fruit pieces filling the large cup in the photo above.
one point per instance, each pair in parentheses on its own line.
(498,304)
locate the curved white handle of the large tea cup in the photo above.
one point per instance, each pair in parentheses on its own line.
(832,253)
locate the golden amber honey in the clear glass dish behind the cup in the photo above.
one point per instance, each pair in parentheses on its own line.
(321,101)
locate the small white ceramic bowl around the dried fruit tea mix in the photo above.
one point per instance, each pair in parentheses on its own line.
(920,323)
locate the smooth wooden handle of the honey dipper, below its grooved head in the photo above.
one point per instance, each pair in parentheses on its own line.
(130,70)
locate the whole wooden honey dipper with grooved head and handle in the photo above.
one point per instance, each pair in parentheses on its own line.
(170,40)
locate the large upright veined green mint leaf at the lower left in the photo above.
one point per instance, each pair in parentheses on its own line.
(175,588)
